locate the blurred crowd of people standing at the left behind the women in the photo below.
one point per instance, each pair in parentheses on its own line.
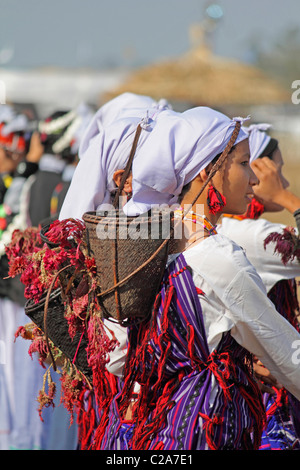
(37,161)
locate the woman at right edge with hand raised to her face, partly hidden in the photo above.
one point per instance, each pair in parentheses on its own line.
(251,231)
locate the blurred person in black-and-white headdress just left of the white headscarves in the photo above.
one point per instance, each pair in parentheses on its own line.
(60,136)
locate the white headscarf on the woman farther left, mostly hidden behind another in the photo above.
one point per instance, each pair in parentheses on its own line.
(105,148)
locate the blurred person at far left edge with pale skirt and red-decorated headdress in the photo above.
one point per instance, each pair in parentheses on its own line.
(15,148)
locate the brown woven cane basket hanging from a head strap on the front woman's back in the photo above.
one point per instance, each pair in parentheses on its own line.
(129,244)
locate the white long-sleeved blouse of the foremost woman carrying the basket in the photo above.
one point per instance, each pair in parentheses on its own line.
(235,300)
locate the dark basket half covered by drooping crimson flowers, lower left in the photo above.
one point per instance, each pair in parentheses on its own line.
(57,330)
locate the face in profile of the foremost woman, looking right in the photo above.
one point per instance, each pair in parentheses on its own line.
(236,179)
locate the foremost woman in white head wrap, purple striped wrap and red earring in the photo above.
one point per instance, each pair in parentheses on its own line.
(184,361)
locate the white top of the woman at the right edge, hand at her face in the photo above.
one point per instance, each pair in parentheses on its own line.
(251,234)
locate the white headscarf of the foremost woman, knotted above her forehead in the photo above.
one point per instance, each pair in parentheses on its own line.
(179,147)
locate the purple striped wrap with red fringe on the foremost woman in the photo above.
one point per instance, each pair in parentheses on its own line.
(189,399)
